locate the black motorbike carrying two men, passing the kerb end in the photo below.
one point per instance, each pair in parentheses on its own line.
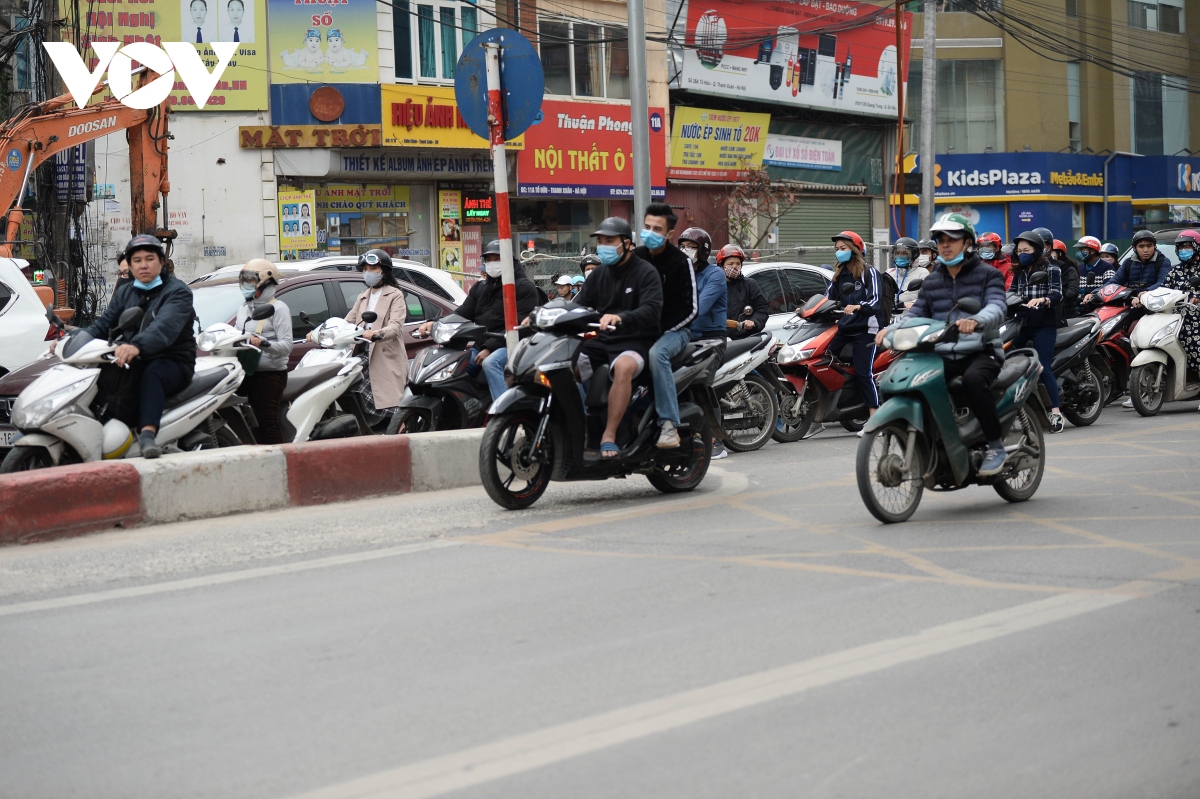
(547,429)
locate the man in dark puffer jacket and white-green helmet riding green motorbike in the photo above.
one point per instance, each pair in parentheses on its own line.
(961,274)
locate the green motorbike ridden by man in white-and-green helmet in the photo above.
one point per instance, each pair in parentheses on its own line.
(923,435)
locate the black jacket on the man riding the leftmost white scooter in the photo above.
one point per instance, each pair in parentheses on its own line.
(166,329)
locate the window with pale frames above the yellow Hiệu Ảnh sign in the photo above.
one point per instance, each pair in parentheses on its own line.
(429,38)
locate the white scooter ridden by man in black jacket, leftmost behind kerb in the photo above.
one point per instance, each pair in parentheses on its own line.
(55,412)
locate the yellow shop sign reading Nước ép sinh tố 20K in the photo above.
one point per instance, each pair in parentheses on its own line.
(716,145)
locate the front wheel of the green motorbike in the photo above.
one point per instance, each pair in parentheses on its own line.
(889,488)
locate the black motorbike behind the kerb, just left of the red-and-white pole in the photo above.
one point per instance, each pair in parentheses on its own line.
(445,391)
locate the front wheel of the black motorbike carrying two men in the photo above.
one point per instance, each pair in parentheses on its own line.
(511,474)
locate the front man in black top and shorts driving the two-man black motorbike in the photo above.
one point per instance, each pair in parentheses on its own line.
(628,293)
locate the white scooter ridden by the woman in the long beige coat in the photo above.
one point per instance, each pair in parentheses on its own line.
(319,399)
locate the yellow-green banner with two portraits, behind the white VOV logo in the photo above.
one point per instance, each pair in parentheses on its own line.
(242,87)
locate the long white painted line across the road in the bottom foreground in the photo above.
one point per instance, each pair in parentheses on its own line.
(511,756)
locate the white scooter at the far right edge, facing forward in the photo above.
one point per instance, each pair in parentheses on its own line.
(1160,369)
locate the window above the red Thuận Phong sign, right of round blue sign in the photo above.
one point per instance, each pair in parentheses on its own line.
(584,59)
